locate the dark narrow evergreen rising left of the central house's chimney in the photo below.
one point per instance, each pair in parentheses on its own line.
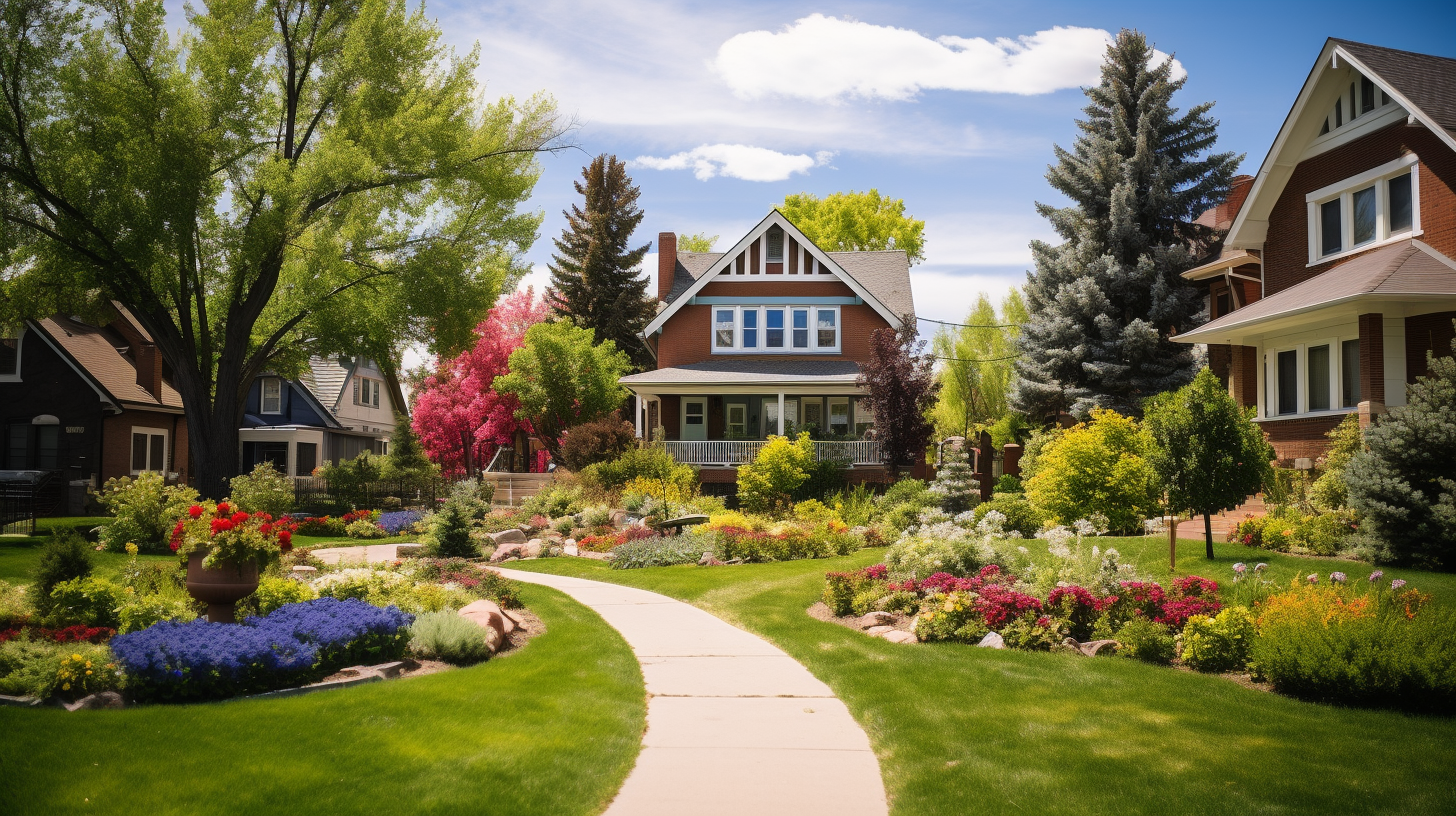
(595,275)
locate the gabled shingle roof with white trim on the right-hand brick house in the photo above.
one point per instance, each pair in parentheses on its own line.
(1423,85)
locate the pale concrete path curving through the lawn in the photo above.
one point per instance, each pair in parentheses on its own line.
(735,726)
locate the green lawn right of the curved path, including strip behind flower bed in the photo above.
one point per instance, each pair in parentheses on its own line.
(970,731)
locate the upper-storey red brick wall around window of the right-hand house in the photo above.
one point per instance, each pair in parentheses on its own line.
(1286,250)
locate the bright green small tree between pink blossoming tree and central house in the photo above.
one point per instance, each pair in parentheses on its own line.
(563,380)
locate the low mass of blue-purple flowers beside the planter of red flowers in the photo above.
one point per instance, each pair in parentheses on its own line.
(296,645)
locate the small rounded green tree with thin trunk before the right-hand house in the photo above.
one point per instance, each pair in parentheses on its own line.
(1206,451)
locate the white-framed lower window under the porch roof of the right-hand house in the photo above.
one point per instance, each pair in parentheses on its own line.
(1320,377)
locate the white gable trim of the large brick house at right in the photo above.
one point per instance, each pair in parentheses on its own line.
(1283,158)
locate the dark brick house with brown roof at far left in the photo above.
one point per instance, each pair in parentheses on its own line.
(88,401)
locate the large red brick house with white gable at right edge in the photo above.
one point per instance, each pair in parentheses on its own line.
(1337,276)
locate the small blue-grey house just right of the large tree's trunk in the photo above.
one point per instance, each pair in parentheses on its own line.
(336,412)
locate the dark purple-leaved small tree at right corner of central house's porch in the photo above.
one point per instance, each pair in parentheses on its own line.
(901,387)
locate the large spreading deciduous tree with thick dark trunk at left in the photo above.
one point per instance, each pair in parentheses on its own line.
(289,178)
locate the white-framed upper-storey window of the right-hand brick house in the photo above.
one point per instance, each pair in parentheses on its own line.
(1375,208)
